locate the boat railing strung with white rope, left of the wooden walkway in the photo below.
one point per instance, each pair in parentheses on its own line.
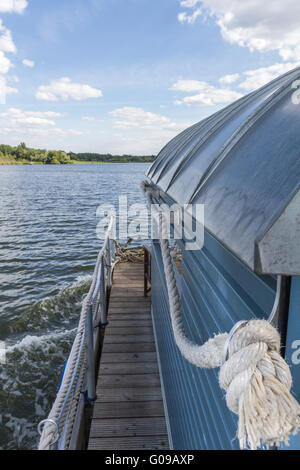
(56,430)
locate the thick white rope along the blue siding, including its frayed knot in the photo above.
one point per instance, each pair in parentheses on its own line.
(256,378)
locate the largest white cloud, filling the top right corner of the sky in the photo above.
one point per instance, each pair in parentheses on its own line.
(273,25)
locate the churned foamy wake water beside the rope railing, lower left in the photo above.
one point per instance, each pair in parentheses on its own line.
(30,378)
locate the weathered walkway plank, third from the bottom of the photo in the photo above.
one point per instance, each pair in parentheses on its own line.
(128,409)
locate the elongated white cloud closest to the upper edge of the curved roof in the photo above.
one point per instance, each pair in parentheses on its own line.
(209,95)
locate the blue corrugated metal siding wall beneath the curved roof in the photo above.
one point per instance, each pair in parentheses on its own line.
(217,291)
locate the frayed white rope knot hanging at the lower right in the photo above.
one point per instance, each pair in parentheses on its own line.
(258,381)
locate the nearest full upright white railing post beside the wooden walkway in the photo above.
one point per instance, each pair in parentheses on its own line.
(91,382)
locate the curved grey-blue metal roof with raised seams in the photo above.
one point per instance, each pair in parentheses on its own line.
(243,164)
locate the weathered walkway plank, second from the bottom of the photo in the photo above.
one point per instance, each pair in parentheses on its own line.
(129,427)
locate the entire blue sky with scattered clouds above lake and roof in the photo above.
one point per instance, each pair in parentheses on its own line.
(125,76)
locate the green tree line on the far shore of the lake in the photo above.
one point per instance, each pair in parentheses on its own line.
(24,154)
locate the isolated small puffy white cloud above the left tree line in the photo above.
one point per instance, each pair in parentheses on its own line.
(65,89)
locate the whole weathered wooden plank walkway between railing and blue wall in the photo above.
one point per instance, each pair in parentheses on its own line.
(128,413)
